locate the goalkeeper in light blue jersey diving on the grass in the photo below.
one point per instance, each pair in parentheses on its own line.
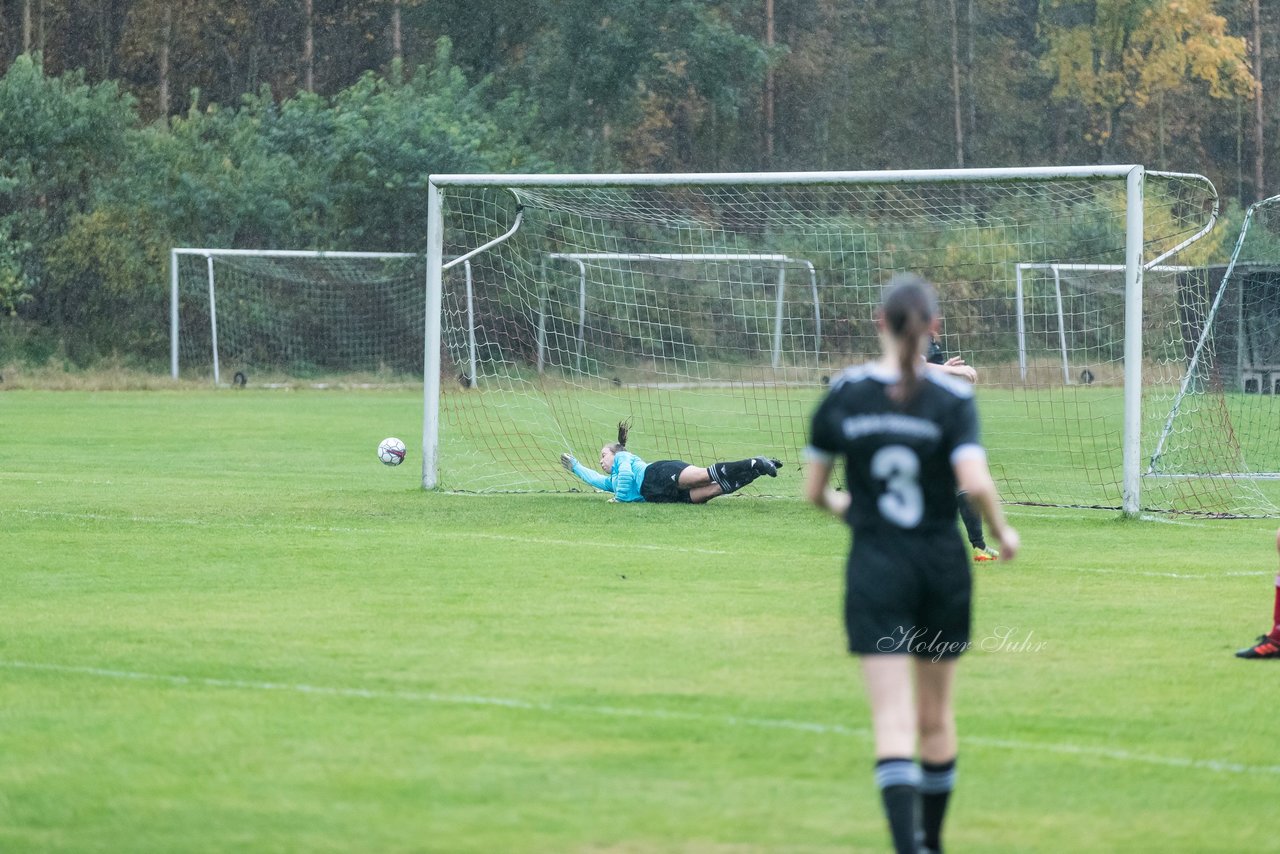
(666,482)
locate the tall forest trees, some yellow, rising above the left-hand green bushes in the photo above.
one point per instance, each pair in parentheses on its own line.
(685,85)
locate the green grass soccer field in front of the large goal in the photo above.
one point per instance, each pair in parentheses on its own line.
(226,627)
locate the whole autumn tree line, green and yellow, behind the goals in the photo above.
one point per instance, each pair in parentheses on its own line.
(132,126)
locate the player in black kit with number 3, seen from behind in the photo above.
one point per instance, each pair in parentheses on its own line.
(909,440)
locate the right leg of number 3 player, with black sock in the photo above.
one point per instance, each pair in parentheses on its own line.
(934,691)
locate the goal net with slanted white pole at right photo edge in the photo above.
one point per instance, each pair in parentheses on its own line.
(1223,423)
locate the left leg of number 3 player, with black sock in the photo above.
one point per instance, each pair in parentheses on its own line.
(889,688)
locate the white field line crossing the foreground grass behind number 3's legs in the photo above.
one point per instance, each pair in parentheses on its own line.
(1128,757)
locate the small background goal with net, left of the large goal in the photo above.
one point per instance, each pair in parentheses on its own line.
(284,317)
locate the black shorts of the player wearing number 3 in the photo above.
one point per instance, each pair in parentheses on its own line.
(908,593)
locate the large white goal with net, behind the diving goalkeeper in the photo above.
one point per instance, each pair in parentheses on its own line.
(714,310)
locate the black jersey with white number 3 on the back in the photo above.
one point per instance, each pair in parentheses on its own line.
(898,462)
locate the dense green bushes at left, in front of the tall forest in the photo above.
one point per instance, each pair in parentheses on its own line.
(92,200)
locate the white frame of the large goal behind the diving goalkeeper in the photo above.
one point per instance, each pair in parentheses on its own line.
(1132,175)
